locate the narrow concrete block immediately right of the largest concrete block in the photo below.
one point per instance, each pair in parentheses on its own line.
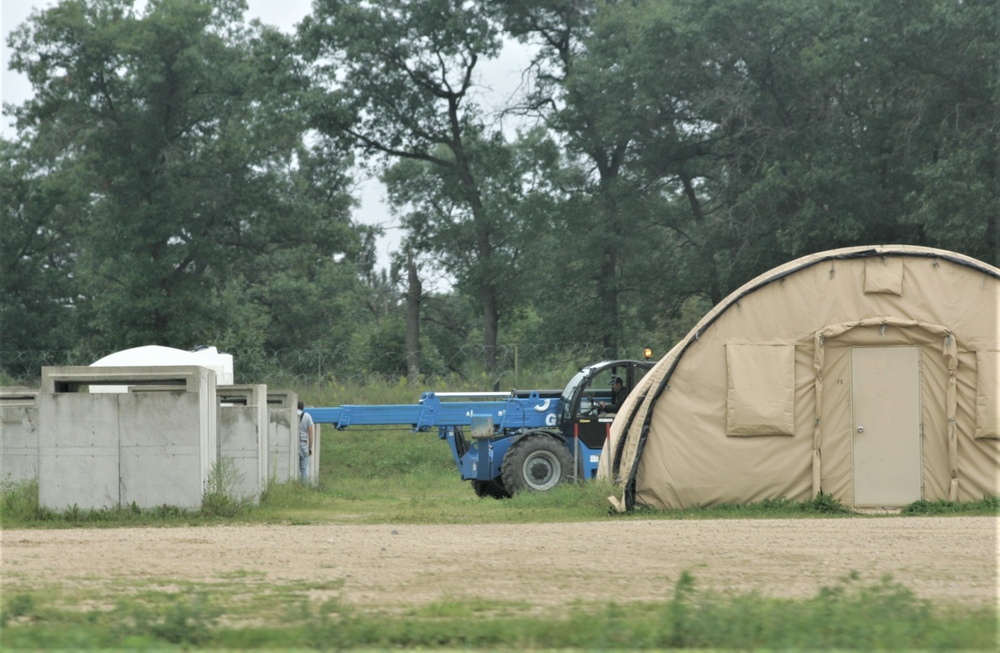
(243,439)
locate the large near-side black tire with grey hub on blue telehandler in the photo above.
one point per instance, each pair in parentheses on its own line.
(536,463)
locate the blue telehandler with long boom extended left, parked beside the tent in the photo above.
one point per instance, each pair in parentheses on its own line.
(505,443)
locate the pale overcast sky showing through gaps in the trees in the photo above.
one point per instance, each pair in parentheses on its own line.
(502,79)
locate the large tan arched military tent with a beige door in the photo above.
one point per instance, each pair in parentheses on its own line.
(867,373)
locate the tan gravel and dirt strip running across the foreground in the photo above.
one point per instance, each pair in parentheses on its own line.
(944,559)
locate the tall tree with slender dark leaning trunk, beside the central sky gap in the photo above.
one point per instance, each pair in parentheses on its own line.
(396,80)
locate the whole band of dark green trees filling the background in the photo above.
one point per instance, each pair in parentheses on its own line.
(183,175)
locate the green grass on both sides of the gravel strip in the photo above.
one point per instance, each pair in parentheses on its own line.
(394,476)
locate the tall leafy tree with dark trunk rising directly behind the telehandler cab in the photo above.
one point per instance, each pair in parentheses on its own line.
(608,237)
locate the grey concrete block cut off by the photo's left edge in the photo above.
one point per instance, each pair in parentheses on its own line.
(18,434)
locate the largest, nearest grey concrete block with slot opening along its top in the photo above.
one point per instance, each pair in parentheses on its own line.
(109,450)
